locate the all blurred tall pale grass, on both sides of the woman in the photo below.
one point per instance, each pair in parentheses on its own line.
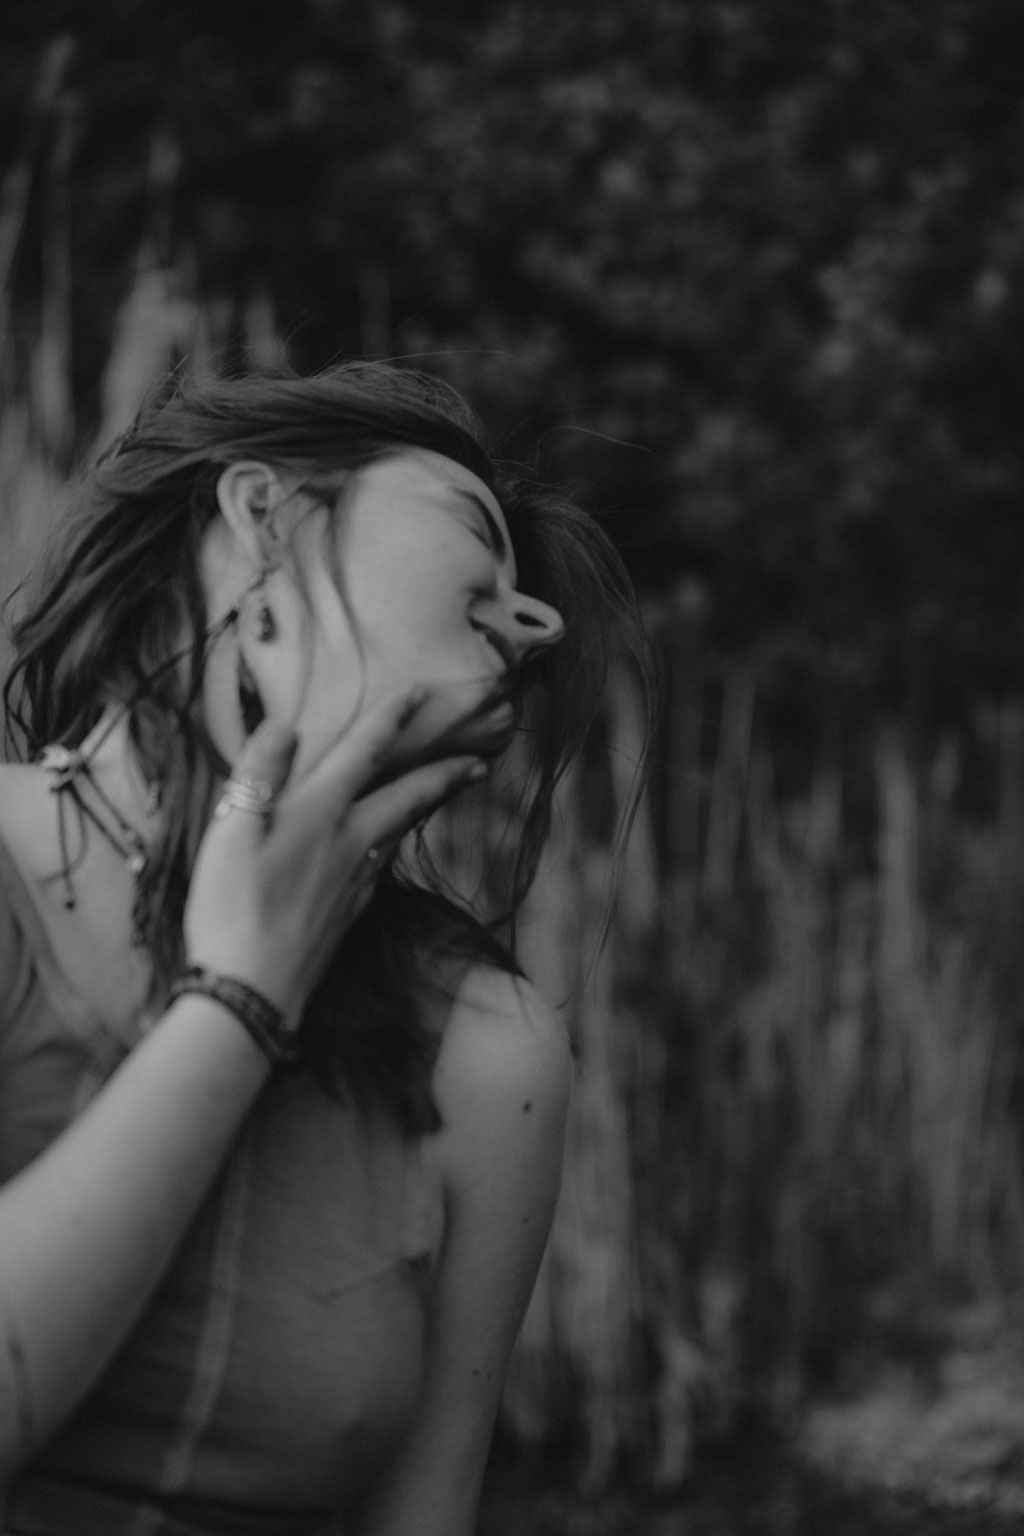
(798,1064)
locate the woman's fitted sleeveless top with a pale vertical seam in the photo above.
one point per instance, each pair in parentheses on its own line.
(279,1365)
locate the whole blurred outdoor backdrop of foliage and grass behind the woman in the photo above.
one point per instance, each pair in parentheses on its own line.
(750,274)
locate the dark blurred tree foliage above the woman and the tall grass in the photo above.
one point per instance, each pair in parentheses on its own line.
(751,270)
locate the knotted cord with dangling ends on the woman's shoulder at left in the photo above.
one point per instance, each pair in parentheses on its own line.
(70,767)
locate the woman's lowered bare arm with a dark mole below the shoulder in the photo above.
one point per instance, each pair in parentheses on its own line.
(503,1090)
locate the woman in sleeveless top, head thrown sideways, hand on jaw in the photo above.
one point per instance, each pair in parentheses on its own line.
(280,1124)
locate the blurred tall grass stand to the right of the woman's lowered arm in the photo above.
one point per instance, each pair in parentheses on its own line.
(798,1096)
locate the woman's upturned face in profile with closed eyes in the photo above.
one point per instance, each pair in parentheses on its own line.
(424,558)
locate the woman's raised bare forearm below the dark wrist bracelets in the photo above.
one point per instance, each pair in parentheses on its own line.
(88,1230)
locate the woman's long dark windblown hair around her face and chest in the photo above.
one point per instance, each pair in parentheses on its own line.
(121,586)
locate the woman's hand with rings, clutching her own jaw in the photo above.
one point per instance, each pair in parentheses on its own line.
(273,896)
